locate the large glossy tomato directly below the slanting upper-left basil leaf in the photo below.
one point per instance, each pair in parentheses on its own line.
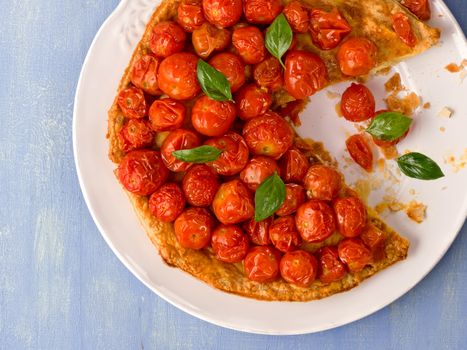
(212,118)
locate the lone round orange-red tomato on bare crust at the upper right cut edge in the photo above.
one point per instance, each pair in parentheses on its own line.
(357,56)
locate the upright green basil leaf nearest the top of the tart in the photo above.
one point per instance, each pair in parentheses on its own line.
(279,37)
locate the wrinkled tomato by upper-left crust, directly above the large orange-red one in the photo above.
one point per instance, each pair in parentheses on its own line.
(167,38)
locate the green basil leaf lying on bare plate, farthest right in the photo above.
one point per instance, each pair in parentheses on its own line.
(419,166)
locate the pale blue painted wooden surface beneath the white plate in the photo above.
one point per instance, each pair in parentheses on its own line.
(61,287)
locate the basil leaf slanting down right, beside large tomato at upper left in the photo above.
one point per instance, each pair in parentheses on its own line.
(213,83)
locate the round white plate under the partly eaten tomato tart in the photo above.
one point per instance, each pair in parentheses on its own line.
(446,198)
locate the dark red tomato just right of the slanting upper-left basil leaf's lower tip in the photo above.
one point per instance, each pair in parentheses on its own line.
(252,101)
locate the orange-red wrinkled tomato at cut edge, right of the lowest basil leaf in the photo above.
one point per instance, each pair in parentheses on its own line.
(323,182)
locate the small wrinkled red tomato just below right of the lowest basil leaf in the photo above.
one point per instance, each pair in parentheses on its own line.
(284,235)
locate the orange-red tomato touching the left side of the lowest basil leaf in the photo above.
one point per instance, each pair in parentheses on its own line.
(233,203)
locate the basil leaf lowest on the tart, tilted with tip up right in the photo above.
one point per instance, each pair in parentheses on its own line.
(269,197)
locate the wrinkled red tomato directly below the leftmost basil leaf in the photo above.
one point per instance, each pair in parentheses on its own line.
(200,185)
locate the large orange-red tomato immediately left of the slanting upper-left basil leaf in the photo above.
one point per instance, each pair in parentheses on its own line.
(177,76)
